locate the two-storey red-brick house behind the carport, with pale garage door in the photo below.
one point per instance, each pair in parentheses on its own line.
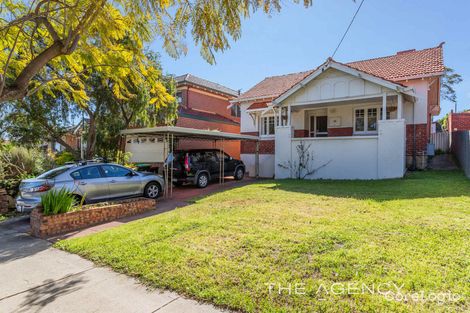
(202,104)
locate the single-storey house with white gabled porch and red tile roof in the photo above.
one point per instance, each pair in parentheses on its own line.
(367,119)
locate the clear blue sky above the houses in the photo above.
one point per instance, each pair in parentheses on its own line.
(299,39)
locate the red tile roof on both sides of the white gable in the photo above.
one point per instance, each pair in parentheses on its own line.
(404,65)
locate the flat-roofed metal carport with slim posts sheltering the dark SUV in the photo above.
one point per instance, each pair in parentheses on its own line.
(171,133)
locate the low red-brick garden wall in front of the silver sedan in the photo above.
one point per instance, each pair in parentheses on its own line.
(43,226)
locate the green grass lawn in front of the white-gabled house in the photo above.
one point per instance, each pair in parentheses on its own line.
(408,238)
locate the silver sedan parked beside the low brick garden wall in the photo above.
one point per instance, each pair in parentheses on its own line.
(94,181)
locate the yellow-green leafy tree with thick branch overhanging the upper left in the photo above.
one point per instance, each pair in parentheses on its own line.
(55,45)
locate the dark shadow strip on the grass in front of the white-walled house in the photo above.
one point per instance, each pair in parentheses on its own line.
(422,184)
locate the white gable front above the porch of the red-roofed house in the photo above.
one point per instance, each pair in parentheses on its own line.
(334,84)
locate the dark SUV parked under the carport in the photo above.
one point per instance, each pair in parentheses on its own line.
(203,165)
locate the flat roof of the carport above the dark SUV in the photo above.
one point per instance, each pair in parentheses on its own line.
(187,133)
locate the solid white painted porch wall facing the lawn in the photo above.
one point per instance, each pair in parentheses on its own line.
(356,157)
